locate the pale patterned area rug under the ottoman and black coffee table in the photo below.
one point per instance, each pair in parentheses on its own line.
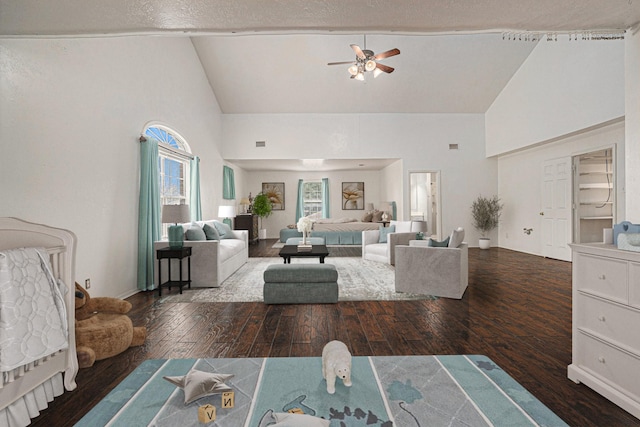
(358,280)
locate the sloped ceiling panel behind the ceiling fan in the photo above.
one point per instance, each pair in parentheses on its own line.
(289,73)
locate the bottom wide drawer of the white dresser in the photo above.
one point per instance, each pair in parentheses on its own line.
(617,368)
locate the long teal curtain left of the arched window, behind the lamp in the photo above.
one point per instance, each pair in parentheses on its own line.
(149,214)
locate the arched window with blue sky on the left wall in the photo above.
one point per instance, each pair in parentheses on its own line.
(173,164)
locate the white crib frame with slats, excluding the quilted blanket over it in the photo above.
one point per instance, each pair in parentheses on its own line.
(27,390)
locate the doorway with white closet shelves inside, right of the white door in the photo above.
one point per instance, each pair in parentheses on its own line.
(594,195)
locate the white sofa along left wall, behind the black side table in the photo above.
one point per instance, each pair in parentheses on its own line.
(212,261)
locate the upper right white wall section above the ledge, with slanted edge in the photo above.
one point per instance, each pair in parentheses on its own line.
(562,87)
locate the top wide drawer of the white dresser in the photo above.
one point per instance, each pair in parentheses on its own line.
(606,277)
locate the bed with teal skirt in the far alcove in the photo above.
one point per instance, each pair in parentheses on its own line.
(341,231)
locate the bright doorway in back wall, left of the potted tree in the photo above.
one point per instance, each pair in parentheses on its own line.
(424,190)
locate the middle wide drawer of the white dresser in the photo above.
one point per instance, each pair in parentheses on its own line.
(616,323)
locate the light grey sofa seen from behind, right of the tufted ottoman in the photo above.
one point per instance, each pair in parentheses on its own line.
(437,271)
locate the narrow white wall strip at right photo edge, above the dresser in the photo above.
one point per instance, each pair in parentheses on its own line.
(632,111)
